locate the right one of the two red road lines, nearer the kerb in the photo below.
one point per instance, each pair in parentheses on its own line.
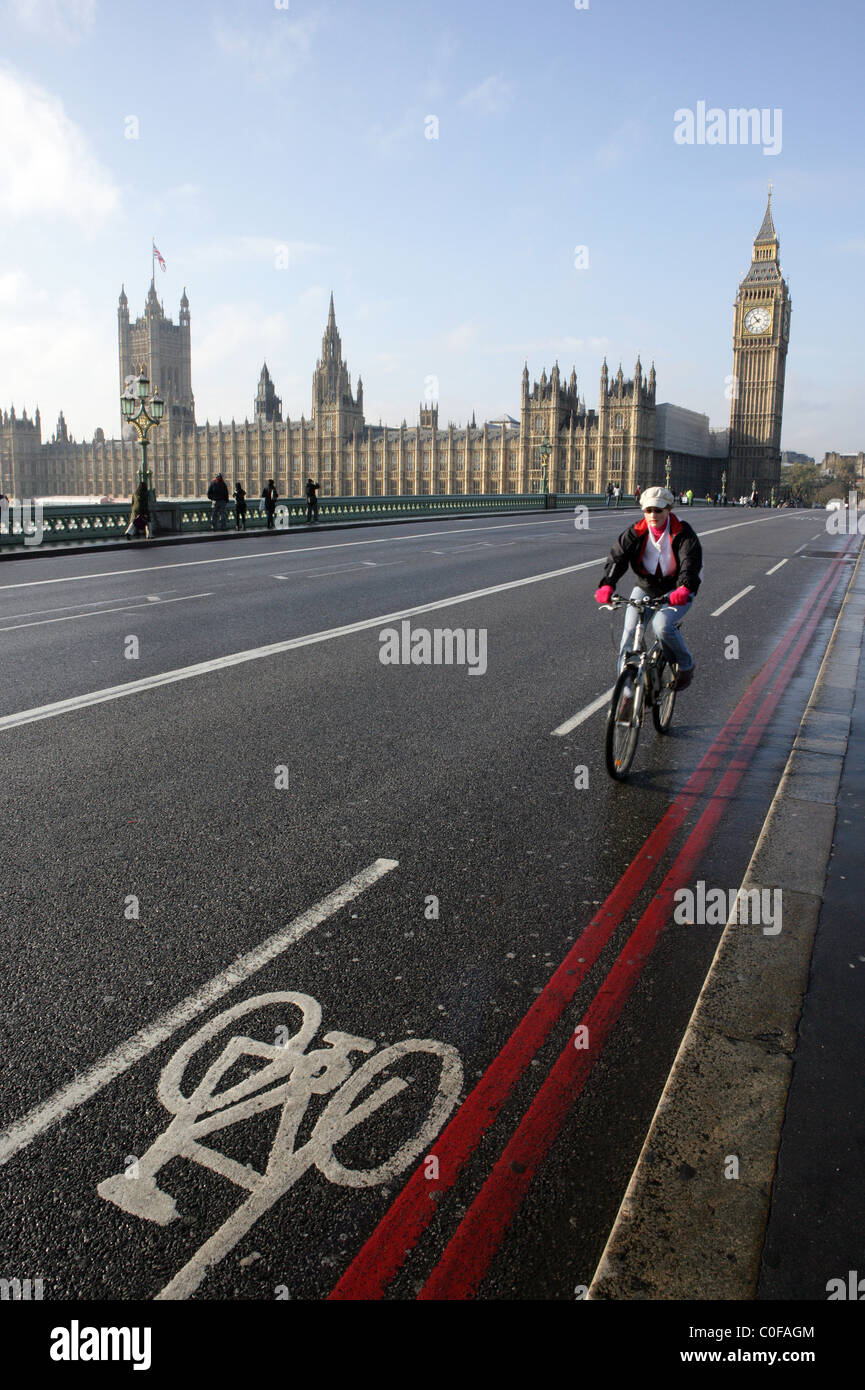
(474,1246)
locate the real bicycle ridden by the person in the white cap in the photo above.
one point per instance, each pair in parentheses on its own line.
(647,680)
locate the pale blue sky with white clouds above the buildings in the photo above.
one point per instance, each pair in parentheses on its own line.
(479,184)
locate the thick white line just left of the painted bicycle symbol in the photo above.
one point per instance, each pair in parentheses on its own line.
(141,1045)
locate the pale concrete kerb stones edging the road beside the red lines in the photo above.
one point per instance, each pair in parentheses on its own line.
(688,1228)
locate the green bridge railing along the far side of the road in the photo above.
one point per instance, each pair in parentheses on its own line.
(84,522)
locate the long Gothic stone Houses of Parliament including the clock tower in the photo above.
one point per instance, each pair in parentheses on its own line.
(626,441)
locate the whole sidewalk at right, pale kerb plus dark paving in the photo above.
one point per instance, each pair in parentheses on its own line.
(750,1181)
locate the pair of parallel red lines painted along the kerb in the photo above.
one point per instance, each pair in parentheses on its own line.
(472,1249)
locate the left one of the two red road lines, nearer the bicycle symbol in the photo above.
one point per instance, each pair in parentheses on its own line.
(404,1224)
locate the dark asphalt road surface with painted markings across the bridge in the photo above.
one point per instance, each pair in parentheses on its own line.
(154,839)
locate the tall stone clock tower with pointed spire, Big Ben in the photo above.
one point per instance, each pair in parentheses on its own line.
(760,354)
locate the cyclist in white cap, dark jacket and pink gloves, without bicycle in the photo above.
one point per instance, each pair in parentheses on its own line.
(667,557)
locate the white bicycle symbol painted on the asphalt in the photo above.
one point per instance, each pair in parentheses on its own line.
(290,1079)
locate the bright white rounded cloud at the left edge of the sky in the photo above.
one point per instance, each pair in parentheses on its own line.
(47,163)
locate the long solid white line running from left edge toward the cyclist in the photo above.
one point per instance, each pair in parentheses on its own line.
(184,673)
